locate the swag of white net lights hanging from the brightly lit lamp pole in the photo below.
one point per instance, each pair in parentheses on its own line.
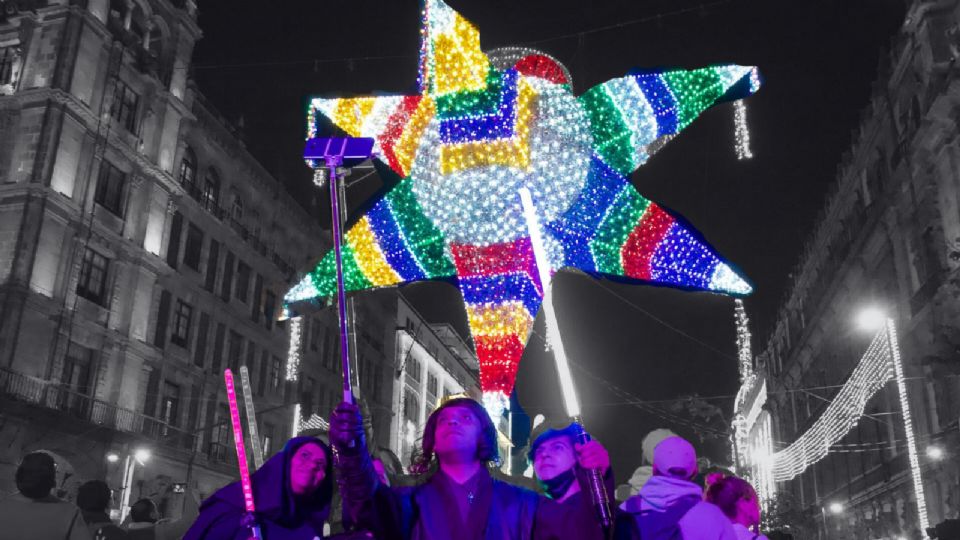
(880,364)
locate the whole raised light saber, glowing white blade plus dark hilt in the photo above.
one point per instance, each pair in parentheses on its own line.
(597,490)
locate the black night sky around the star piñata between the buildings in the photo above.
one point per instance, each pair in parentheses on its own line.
(261,61)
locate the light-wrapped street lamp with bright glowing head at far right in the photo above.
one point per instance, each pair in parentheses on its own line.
(875,319)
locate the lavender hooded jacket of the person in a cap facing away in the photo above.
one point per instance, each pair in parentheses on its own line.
(664,498)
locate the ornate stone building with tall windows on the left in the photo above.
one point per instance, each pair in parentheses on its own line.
(142,251)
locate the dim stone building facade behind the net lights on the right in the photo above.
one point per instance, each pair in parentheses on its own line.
(889,236)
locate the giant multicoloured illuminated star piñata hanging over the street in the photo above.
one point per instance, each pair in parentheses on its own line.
(474,136)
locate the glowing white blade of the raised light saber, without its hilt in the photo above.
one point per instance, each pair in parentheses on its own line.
(570,401)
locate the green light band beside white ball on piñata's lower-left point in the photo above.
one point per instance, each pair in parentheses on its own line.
(423,238)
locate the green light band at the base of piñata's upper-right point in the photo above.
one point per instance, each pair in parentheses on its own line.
(611,136)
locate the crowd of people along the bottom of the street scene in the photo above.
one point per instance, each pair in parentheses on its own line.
(459,494)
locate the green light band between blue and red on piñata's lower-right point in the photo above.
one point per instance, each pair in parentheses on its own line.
(615,228)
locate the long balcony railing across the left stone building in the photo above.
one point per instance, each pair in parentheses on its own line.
(77,405)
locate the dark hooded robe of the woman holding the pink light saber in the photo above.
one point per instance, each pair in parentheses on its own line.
(280,514)
